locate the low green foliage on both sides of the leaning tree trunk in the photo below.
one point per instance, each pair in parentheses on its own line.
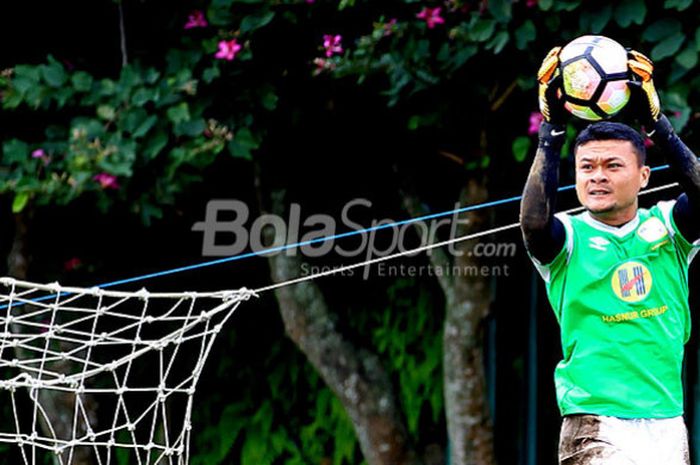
(288,415)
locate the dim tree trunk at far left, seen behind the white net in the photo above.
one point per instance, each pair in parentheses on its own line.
(59,406)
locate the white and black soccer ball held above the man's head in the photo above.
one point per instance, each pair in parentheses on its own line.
(594,77)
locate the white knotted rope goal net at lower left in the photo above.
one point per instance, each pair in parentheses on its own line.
(103,374)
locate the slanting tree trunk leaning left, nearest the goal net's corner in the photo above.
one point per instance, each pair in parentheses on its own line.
(355,375)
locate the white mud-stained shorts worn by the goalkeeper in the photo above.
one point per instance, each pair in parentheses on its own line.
(601,440)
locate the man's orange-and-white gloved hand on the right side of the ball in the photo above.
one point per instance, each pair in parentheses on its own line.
(644,95)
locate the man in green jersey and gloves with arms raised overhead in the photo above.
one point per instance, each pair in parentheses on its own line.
(617,279)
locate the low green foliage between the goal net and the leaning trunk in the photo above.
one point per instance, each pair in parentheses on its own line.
(290,418)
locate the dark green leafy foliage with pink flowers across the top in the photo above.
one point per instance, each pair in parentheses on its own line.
(159,118)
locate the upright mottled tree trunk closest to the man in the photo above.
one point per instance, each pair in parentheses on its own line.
(467,300)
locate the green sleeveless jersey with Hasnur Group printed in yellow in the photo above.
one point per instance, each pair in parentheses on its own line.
(620,296)
